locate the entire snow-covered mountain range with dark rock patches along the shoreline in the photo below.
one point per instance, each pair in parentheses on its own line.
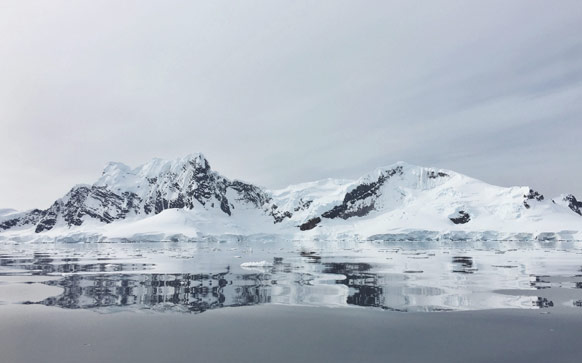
(184,199)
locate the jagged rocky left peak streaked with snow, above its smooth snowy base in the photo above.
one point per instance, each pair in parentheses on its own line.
(148,190)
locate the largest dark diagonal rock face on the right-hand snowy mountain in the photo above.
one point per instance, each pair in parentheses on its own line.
(365,193)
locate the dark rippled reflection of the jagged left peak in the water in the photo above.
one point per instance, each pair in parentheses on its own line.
(189,292)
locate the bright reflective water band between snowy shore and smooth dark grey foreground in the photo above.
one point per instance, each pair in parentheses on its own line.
(196,277)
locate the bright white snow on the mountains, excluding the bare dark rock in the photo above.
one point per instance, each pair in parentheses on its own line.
(412,204)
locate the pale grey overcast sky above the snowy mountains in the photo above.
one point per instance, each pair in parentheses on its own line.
(279,92)
